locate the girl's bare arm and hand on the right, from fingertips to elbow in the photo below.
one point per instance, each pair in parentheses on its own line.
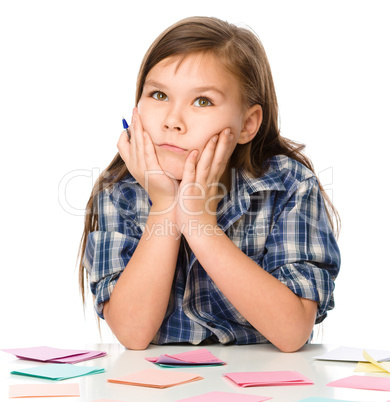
(268,304)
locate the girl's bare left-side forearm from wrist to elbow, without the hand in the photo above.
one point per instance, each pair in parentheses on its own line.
(140,298)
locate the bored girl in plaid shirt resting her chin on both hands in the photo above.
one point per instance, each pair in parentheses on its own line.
(208,226)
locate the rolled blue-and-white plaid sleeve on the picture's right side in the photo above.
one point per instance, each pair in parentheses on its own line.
(301,250)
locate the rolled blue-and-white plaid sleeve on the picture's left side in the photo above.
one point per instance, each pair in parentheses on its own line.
(108,250)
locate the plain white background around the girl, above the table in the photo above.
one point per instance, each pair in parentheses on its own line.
(68,72)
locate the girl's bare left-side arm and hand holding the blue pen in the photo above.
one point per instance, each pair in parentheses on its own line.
(139,301)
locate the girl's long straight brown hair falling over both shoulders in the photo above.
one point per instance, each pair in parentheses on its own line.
(241,53)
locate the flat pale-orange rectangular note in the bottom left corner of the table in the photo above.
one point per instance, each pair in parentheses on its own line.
(43,390)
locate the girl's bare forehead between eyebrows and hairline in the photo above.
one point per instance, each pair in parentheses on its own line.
(202,68)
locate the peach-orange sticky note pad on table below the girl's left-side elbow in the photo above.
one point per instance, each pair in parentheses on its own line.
(156,378)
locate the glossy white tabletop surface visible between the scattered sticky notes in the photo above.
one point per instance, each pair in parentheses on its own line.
(120,361)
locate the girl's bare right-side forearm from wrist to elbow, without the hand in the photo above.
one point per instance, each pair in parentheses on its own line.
(272,308)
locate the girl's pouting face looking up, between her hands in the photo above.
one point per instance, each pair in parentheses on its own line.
(184,104)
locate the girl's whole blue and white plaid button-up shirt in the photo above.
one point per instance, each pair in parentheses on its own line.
(278,220)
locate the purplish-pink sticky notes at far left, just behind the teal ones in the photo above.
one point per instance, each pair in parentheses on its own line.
(54,355)
